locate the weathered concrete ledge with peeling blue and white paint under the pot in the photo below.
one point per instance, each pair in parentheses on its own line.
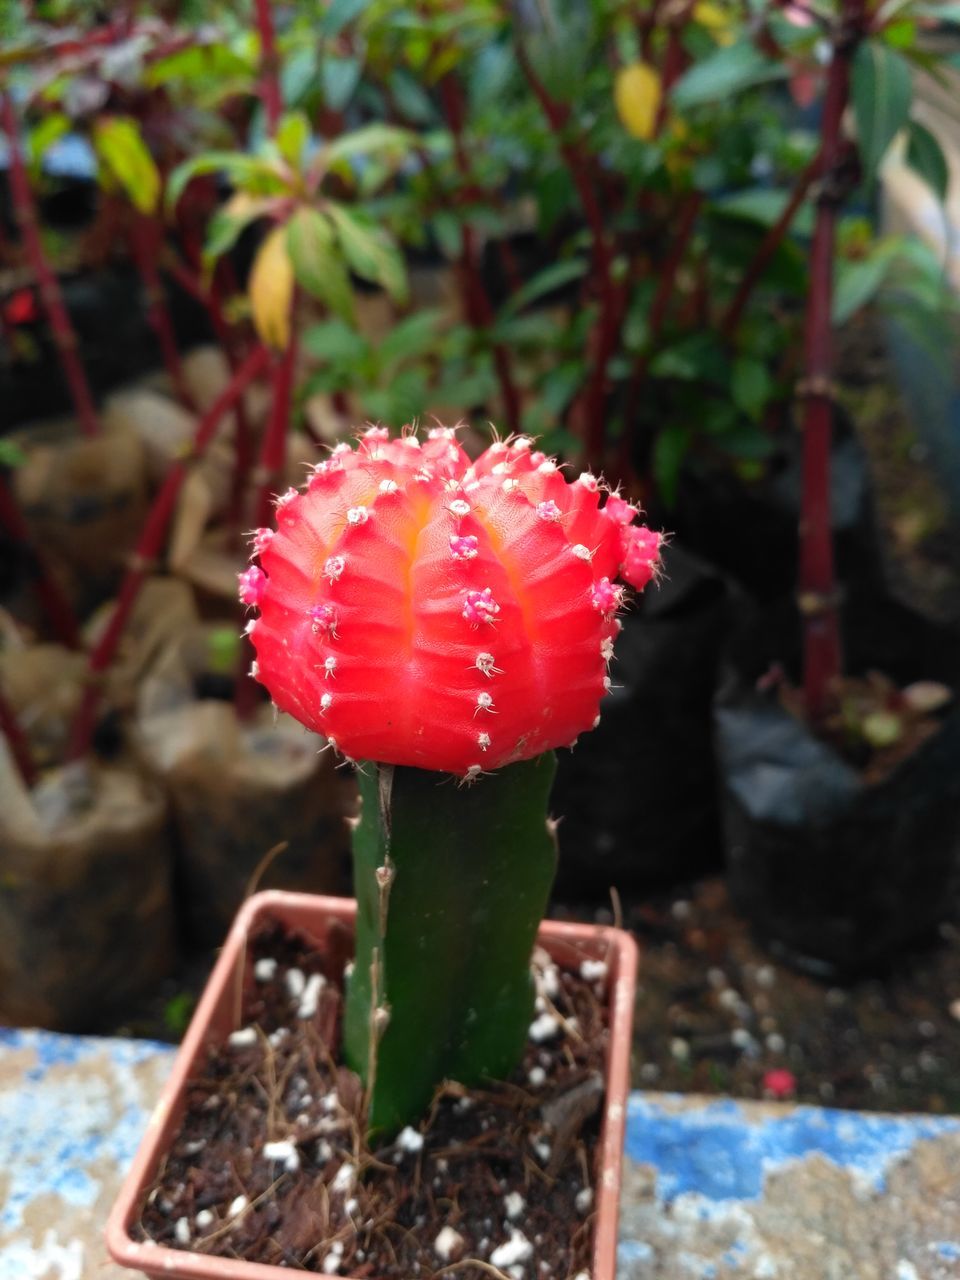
(714,1191)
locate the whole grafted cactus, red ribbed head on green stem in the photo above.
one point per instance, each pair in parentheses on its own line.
(429,615)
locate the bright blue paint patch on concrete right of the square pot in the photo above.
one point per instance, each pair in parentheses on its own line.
(721,1155)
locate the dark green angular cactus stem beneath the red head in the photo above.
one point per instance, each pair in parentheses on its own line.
(452,883)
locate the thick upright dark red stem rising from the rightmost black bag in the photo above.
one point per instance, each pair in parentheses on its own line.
(817,579)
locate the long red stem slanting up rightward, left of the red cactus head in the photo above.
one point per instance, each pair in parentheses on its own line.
(148,550)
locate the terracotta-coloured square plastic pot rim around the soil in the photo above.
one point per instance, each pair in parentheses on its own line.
(218,1016)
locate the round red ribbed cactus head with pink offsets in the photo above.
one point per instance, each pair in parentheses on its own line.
(420,610)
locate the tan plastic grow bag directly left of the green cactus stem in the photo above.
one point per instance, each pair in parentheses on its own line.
(239,789)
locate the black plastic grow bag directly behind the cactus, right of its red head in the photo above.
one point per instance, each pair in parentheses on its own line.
(637,797)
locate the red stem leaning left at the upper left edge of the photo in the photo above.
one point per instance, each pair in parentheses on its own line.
(61,327)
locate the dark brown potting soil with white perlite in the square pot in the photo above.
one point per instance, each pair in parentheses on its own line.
(271,1165)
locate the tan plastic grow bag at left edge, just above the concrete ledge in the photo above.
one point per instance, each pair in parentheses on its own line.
(86,904)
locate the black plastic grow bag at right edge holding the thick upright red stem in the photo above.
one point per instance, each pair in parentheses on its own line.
(838,875)
